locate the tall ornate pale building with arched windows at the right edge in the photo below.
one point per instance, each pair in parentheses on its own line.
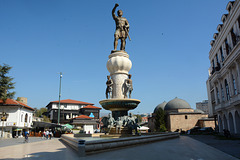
(223,84)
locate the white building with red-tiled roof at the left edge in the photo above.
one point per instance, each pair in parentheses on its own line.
(18,118)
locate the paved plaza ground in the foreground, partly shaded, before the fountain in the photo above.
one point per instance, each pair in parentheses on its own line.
(183,148)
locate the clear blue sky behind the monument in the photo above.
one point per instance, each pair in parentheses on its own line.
(169,48)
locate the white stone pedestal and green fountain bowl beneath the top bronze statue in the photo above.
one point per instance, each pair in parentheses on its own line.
(118,66)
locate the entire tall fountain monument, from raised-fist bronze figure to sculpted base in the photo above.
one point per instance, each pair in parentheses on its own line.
(119,83)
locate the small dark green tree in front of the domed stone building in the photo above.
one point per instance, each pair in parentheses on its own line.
(160,124)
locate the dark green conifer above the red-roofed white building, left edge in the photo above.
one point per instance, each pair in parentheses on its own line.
(6,83)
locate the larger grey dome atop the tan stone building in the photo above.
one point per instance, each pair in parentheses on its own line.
(177,103)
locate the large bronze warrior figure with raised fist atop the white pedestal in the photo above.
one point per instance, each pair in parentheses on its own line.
(122,28)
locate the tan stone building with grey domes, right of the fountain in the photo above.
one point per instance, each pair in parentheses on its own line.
(180,116)
